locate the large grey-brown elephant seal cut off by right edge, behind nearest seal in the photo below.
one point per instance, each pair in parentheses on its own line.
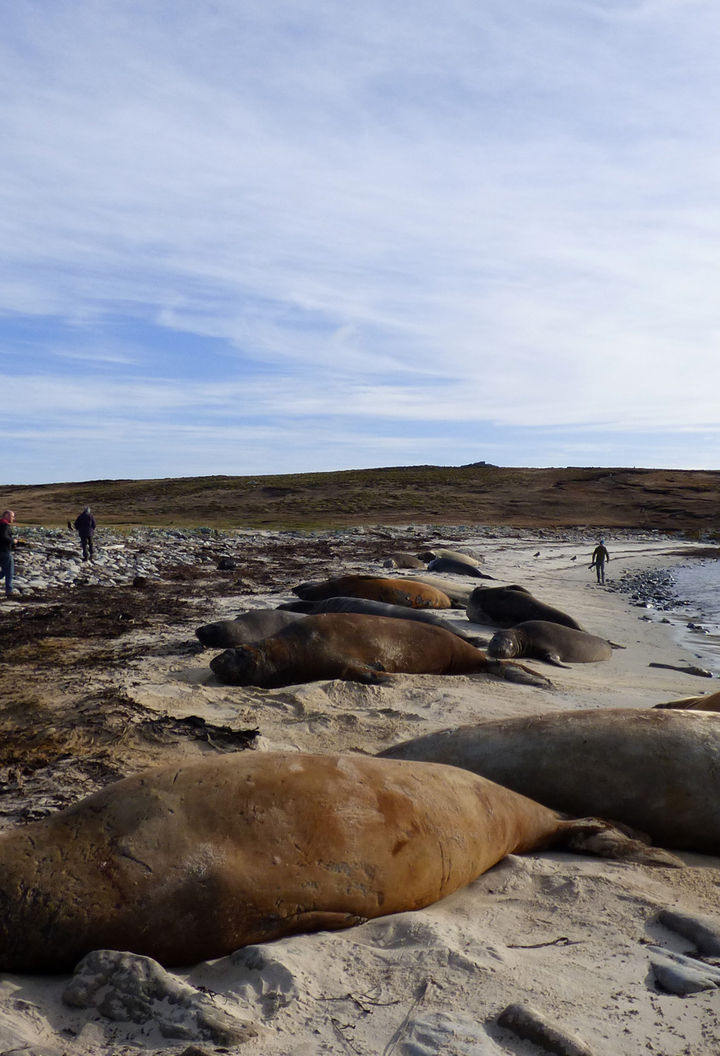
(657,771)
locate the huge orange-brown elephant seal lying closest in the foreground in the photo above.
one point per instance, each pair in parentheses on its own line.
(192,862)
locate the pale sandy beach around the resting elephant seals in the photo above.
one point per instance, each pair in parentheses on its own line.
(564,934)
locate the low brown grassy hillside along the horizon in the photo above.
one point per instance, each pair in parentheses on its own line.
(665,500)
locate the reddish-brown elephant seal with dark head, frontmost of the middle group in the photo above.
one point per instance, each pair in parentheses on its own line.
(358,649)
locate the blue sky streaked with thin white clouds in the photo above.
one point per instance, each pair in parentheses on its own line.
(286,236)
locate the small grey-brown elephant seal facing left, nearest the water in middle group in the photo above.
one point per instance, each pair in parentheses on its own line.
(551,643)
